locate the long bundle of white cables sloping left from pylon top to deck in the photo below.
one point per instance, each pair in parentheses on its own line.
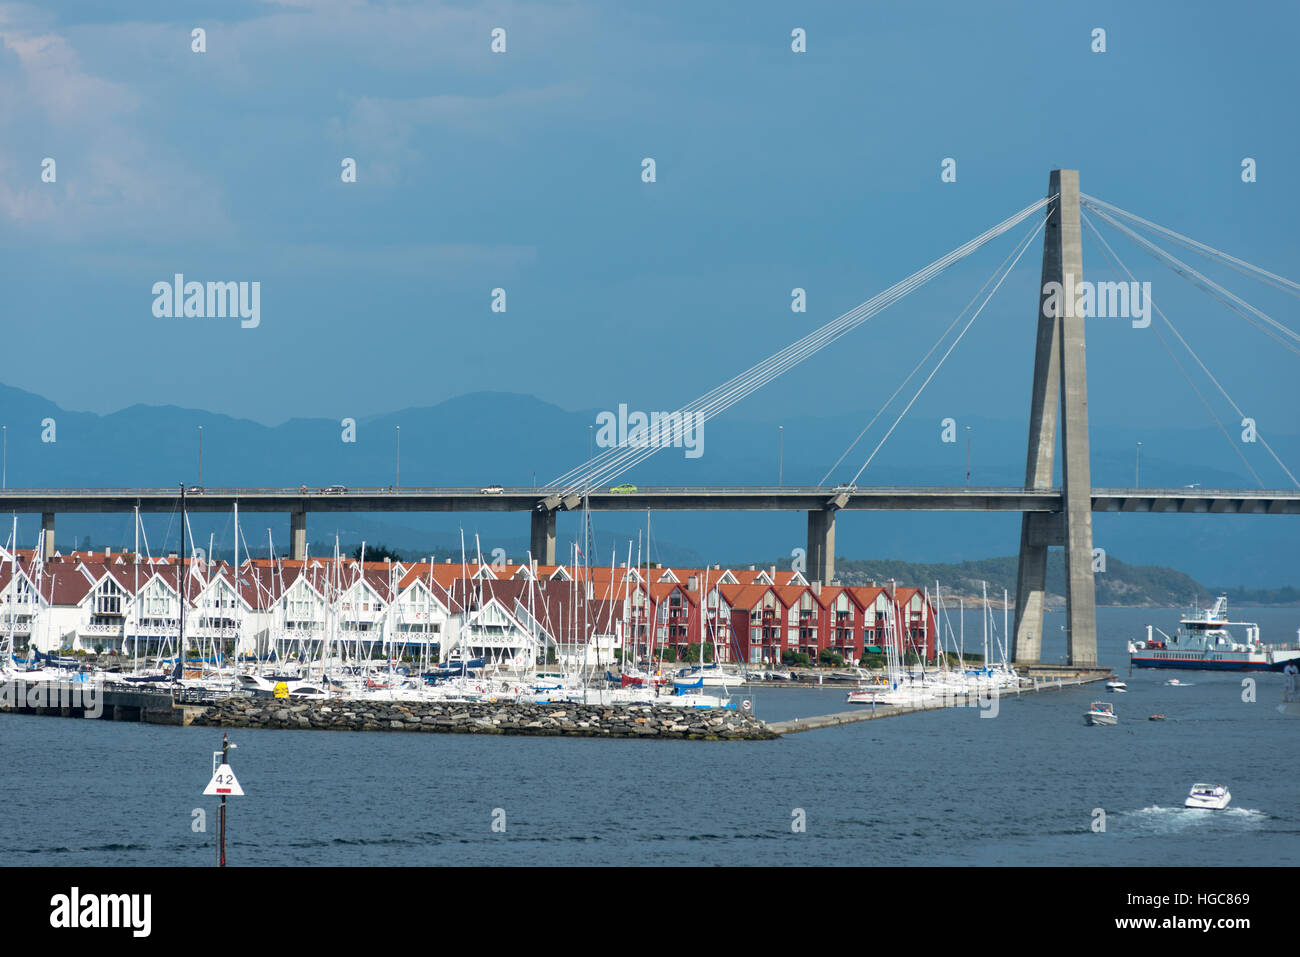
(612,464)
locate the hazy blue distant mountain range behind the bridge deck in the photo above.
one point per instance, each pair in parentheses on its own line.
(518,440)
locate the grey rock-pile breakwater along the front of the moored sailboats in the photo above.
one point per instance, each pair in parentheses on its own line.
(484,718)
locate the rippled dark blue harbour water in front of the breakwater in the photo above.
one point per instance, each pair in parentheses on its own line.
(417,799)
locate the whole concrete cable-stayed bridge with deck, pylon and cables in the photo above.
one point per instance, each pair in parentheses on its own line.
(1052,516)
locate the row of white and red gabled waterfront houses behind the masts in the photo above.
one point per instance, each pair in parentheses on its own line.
(428,612)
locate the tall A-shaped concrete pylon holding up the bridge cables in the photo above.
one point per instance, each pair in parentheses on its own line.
(1060,382)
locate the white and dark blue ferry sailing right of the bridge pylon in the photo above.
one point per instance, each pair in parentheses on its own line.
(1203,642)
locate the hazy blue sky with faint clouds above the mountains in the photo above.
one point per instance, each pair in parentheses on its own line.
(523,170)
